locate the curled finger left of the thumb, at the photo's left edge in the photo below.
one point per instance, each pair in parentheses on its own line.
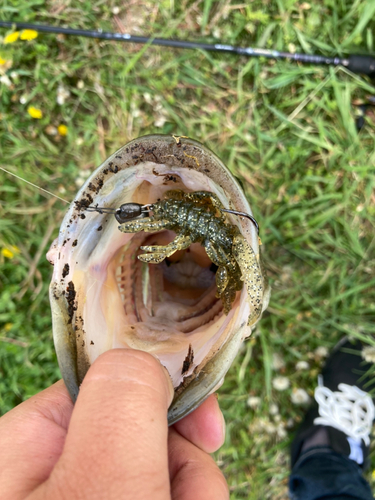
(32,437)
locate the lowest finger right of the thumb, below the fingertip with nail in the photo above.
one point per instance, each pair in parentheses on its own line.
(194,474)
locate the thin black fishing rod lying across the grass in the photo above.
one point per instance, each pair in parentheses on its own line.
(357,63)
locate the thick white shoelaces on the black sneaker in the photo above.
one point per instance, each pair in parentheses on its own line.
(349,410)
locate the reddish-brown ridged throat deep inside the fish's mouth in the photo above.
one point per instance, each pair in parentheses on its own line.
(162,301)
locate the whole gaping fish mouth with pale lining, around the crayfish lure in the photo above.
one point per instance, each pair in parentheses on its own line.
(103,297)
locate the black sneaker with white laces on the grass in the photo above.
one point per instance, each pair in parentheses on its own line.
(343,412)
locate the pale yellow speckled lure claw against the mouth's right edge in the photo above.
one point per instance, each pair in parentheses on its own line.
(251,275)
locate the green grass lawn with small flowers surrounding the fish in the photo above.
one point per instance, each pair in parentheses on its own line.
(288,131)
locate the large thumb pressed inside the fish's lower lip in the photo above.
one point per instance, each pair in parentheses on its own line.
(116,446)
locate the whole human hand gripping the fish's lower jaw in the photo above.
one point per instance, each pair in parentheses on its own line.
(114,443)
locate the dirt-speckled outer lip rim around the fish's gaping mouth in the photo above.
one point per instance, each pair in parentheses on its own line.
(165,150)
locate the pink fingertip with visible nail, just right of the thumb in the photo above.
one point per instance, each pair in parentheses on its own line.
(204,427)
